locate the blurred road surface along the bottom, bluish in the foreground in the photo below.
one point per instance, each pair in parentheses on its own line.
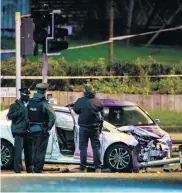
(92,182)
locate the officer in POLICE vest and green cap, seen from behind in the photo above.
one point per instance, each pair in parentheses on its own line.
(42,118)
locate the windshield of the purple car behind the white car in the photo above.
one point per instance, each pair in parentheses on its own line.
(126,115)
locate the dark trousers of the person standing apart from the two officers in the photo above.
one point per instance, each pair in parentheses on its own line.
(84,135)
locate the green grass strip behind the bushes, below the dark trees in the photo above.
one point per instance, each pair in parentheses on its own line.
(162,54)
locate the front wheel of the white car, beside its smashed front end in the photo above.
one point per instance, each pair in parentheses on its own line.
(119,158)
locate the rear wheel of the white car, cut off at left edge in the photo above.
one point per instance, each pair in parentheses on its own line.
(6,155)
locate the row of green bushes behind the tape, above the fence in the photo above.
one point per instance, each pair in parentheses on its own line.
(142,84)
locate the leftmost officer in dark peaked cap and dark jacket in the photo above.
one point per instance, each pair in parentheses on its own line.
(19,128)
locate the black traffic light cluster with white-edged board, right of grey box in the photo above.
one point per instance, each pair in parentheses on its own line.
(49,30)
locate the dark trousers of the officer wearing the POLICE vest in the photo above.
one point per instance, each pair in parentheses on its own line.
(39,147)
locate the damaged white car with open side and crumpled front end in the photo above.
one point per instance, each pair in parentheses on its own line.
(121,148)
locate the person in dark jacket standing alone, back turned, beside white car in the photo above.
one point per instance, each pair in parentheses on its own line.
(90,121)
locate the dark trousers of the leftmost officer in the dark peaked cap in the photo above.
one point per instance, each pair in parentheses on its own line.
(22,141)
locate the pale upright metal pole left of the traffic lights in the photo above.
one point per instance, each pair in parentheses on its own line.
(18,53)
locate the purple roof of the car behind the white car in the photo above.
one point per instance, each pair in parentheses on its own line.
(113,102)
